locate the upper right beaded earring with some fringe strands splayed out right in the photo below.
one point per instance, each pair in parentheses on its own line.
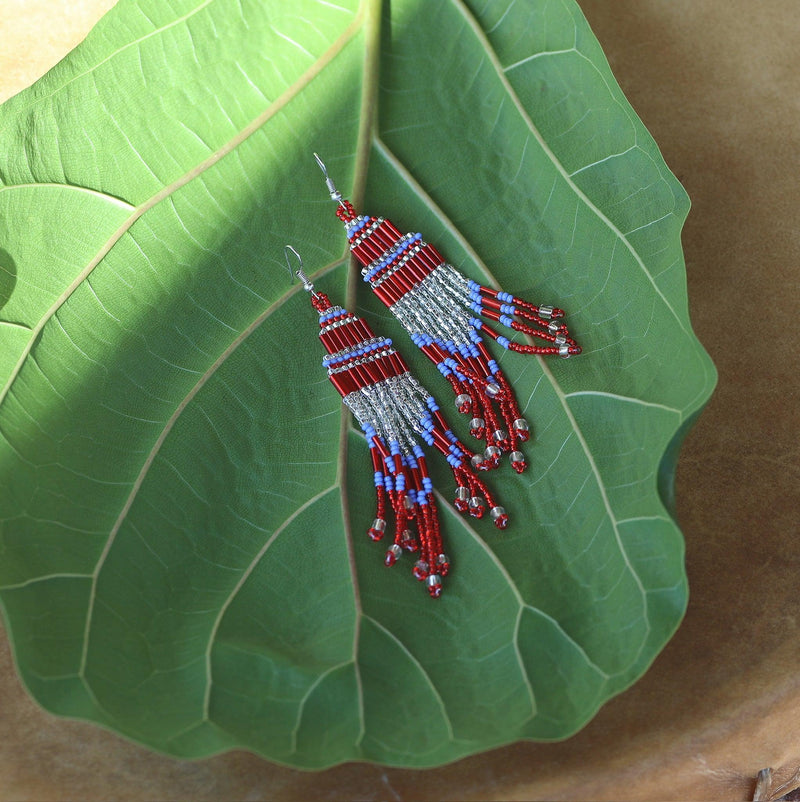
(441,309)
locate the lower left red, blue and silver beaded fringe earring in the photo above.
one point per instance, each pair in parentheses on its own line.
(394,410)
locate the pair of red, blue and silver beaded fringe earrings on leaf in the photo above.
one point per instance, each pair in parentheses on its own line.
(445,313)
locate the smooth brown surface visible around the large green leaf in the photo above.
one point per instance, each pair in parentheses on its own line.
(718,84)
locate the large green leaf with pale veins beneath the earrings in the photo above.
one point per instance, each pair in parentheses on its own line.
(183,502)
